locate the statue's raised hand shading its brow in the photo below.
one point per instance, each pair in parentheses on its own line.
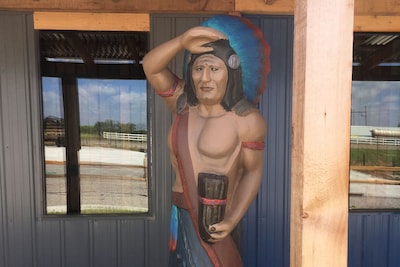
(194,39)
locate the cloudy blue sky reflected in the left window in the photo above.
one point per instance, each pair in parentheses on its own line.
(100,100)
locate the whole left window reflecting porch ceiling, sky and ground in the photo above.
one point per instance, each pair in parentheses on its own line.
(94,122)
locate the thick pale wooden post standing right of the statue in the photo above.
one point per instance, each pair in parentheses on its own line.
(323,41)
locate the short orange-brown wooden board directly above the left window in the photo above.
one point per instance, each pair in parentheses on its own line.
(91,21)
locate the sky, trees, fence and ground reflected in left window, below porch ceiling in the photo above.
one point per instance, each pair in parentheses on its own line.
(111,154)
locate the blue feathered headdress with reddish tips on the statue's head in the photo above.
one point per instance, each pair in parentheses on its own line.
(253,51)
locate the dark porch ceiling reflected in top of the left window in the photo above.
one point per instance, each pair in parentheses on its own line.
(92,54)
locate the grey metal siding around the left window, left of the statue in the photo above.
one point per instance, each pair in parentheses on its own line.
(27,238)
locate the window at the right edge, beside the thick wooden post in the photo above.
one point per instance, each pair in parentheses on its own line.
(375,122)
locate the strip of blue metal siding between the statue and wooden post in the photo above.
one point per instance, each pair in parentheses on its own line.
(277,109)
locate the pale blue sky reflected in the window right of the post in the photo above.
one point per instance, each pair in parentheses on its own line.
(379,100)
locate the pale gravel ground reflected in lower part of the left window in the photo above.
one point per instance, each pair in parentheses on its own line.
(112,179)
